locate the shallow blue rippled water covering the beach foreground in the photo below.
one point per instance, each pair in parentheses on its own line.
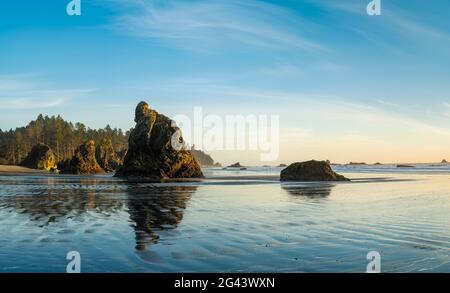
(234,221)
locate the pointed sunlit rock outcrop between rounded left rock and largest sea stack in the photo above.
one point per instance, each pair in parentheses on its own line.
(83,162)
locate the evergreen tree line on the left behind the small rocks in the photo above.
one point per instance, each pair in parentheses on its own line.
(61,136)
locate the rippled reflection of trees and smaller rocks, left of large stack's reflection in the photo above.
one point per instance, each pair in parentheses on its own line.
(53,200)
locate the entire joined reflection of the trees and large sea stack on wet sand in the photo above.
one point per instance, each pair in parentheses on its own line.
(151,208)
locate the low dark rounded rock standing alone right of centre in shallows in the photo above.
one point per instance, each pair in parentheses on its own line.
(310,171)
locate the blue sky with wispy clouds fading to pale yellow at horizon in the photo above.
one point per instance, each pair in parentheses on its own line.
(346,86)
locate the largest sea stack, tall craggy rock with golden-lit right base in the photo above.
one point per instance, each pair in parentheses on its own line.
(156,149)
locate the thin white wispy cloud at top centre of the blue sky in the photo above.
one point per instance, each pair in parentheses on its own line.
(207,25)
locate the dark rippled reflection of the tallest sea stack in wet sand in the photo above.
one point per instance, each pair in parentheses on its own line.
(156,208)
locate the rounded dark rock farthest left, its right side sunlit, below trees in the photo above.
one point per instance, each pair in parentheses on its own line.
(40,157)
